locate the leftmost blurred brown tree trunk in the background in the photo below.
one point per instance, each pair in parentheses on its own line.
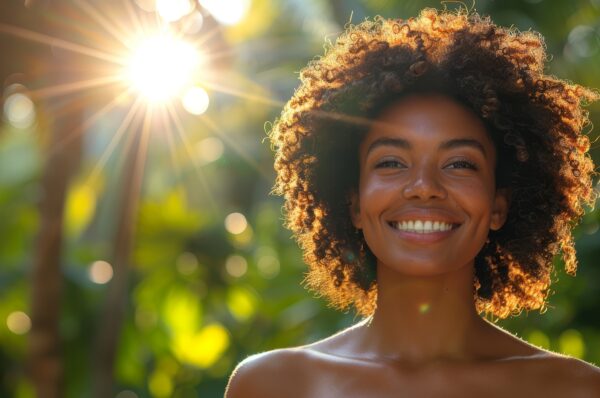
(44,362)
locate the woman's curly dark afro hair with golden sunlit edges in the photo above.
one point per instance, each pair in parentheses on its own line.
(535,121)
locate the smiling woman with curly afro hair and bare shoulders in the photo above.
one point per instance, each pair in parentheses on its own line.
(431,173)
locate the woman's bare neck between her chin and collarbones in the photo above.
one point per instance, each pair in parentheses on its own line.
(423,318)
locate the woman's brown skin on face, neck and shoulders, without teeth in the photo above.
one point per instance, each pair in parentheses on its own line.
(425,158)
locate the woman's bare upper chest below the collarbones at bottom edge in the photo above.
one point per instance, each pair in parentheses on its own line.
(374,380)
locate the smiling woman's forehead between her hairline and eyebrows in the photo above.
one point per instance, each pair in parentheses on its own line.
(428,118)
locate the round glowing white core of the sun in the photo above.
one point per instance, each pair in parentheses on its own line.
(162,67)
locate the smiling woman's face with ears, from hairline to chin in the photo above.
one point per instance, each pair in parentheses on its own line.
(427,196)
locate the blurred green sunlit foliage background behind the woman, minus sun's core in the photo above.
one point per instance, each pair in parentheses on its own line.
(200,266)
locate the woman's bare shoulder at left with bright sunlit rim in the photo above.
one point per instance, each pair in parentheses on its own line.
(270,374)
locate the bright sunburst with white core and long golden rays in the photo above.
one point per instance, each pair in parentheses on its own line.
(162,68)
